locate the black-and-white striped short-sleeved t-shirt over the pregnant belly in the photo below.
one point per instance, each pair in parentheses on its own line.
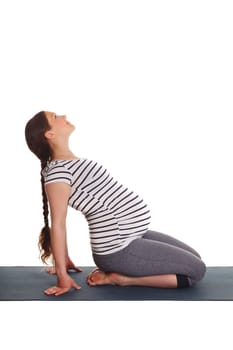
(115,215)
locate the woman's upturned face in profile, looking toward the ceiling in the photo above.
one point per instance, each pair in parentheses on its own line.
(58,123)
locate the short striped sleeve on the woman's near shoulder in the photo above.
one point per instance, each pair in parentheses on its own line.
(57,173)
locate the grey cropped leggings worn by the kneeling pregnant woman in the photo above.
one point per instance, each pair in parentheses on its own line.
(154,254)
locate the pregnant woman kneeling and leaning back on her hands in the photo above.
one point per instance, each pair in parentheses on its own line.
(125,251)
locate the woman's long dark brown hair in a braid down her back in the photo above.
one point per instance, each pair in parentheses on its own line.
(38,144)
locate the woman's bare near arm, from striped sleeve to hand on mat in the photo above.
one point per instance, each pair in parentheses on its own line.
(58,194)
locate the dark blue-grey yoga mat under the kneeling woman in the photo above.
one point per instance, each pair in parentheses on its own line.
(28,283)
